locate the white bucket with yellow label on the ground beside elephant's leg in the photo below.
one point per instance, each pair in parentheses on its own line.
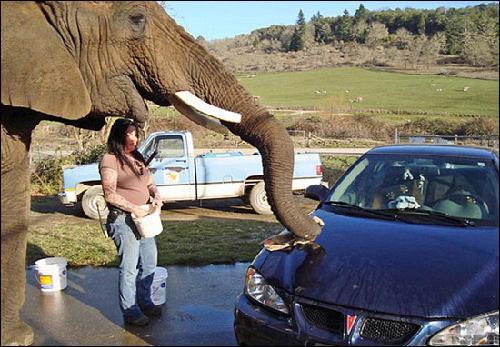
(51,273)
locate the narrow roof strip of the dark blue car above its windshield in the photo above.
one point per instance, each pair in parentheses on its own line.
(440,150)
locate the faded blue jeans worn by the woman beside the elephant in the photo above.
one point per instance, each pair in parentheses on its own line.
(137,266)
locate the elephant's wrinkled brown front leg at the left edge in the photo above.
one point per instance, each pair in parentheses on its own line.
(15,190)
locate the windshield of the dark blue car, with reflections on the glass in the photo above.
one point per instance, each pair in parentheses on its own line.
(465,188)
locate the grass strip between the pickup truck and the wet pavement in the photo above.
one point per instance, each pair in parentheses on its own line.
(208,241)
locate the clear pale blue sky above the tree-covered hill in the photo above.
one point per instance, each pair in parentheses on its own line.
(224,19)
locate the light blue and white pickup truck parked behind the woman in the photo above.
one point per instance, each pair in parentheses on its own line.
(182,176)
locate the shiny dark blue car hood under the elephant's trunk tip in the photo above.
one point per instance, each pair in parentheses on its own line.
(392,267)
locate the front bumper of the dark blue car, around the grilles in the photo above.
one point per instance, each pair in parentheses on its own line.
(255,325)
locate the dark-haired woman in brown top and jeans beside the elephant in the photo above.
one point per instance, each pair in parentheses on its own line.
(128,184)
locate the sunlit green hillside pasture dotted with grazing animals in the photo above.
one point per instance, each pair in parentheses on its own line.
(433,94)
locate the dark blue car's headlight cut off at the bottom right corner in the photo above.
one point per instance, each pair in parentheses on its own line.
(480,330)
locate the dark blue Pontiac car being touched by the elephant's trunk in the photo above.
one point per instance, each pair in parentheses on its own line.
(408,255)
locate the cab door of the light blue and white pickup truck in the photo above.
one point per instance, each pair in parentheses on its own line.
(171,167)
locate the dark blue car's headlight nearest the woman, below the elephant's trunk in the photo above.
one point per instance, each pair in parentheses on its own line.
(257,288)
